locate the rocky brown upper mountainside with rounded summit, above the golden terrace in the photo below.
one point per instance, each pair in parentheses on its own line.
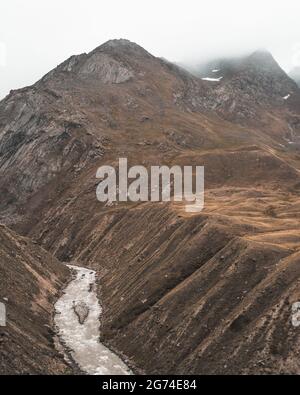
(78,117)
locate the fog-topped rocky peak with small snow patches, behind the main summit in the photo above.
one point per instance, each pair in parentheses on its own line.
(247,88)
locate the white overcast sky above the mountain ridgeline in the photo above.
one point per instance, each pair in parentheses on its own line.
(36,35)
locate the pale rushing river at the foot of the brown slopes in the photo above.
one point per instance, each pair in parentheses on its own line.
(83,339)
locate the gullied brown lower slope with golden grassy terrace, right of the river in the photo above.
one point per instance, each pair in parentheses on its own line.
(163,289)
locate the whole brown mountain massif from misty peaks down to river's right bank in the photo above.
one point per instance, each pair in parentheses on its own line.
(181,293)
